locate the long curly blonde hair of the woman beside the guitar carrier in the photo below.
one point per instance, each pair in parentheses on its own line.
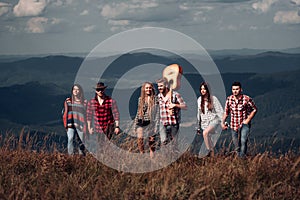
(142,102)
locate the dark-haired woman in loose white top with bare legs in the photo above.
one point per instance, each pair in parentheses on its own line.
(209,115)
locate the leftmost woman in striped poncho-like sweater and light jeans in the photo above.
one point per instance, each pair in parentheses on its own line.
(74,118)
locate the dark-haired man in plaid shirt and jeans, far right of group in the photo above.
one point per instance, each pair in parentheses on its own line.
(241,109)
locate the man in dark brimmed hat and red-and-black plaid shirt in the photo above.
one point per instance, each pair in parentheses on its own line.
(103,112)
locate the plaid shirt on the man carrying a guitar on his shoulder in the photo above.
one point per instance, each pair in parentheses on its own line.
(165,117)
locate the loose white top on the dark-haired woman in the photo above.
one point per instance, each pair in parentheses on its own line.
(214,116)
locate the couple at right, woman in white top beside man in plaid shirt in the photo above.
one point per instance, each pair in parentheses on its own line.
(241,109)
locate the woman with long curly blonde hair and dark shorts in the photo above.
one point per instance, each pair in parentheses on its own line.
(146,120)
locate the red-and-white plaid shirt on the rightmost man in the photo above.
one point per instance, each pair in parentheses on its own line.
(239,110)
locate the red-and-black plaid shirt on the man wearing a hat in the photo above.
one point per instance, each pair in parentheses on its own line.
(102,115)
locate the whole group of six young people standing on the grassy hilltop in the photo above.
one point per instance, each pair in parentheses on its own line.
(100,116)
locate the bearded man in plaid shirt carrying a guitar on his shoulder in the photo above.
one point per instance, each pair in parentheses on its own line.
(169,110)
